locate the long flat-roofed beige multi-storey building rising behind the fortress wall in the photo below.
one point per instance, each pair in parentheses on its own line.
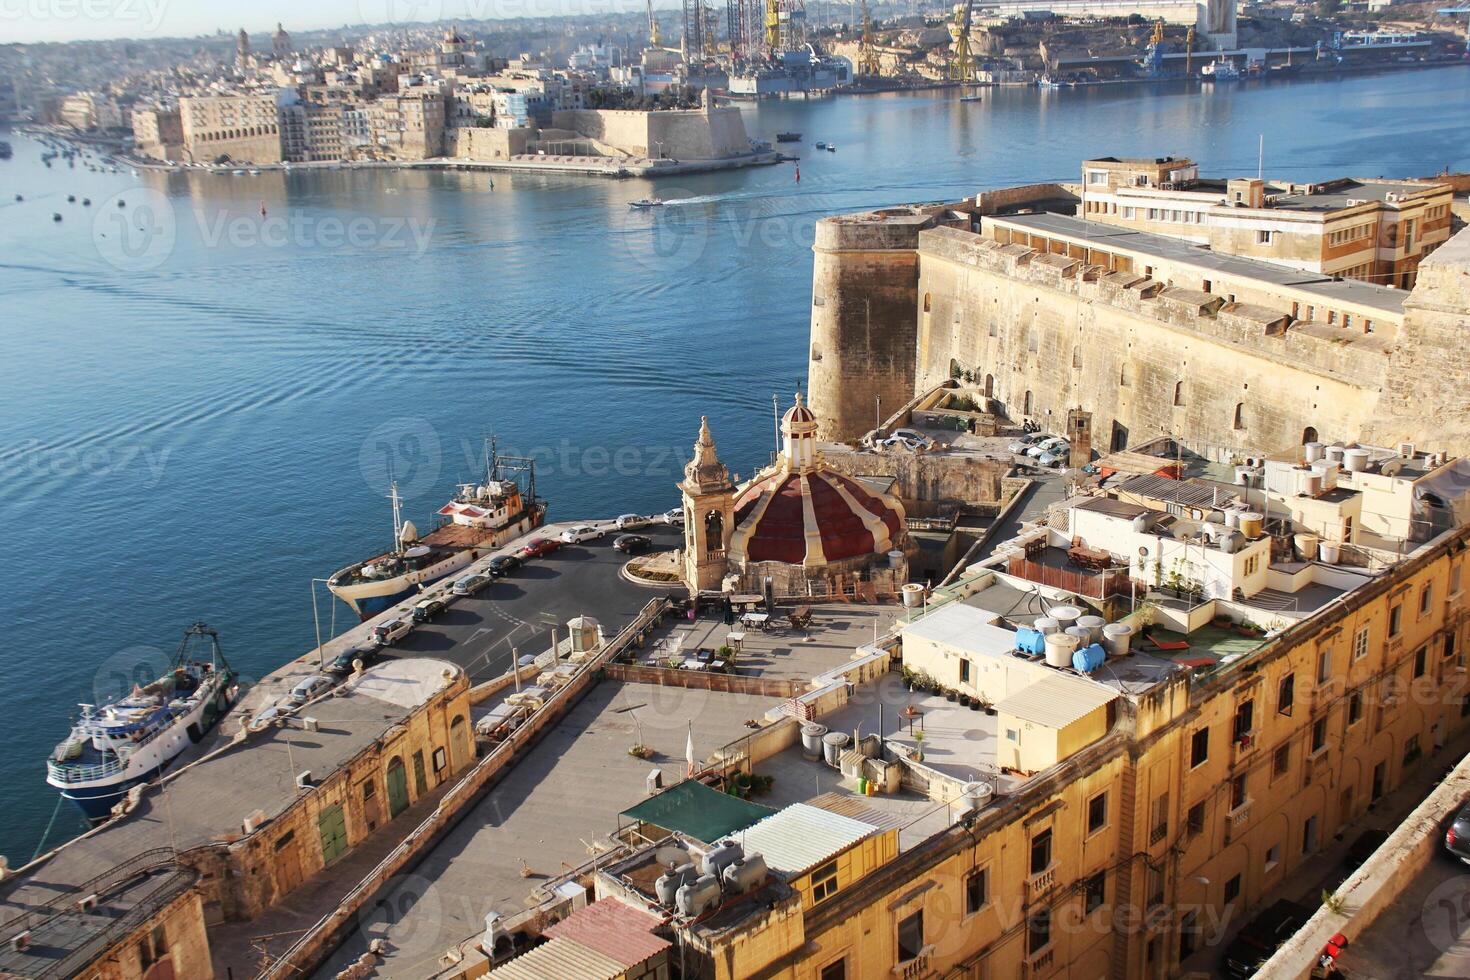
(1368,230)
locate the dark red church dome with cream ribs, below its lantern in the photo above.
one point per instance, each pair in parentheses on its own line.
(814,518)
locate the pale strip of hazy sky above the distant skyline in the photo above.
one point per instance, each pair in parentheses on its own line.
(90,20)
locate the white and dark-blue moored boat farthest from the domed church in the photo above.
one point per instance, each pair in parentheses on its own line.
(133,740)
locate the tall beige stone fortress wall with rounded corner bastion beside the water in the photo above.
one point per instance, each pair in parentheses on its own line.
(1050,333)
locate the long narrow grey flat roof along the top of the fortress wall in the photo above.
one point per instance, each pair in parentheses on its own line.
(1116,237)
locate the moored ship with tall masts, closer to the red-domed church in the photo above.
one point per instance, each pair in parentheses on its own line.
(480,519)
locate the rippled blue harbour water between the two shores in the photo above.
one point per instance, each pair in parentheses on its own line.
(187,443)
